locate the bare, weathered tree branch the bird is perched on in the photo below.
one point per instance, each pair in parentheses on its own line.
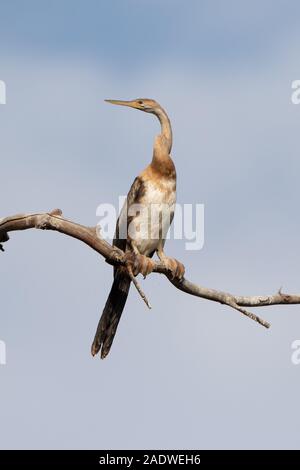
(91,236)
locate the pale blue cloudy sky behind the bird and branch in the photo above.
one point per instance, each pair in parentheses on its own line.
(189,373)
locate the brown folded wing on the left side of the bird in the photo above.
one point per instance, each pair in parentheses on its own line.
(134,196)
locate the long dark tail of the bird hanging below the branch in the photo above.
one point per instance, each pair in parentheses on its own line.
(111,315)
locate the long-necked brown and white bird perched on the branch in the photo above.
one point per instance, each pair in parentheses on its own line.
(142,225)
